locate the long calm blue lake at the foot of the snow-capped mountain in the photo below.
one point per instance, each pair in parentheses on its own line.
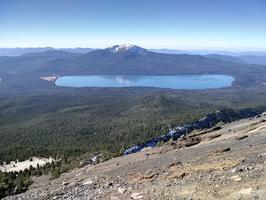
(159,81)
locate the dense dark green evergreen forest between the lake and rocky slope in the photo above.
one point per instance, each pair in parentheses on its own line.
(74,122)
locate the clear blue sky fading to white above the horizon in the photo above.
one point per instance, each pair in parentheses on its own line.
(175,24)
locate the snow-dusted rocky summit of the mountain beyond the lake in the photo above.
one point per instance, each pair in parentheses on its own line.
(127,48)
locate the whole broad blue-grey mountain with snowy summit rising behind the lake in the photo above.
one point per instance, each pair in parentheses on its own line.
(136,60)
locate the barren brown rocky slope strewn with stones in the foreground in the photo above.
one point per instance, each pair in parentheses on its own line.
(228,162)
